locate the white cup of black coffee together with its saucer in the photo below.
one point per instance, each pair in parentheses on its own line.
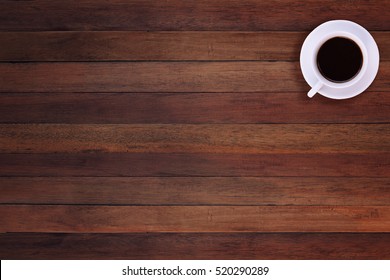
(339,59)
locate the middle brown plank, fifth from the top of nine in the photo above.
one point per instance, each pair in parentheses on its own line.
(241,139)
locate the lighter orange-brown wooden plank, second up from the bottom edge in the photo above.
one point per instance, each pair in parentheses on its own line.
(115,219)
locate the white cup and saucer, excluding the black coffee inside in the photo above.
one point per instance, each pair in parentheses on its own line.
(339,90)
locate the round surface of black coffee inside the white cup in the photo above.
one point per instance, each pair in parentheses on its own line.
(339,59)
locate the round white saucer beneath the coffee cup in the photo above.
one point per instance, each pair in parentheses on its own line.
(309,47)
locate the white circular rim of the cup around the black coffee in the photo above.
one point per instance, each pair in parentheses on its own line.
(362,70)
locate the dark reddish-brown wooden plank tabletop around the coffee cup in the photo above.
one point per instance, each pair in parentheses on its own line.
(147,129)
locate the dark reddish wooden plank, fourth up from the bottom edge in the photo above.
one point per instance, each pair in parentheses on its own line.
(199,164)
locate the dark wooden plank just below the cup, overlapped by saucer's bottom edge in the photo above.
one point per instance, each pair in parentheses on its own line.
(117,108)
